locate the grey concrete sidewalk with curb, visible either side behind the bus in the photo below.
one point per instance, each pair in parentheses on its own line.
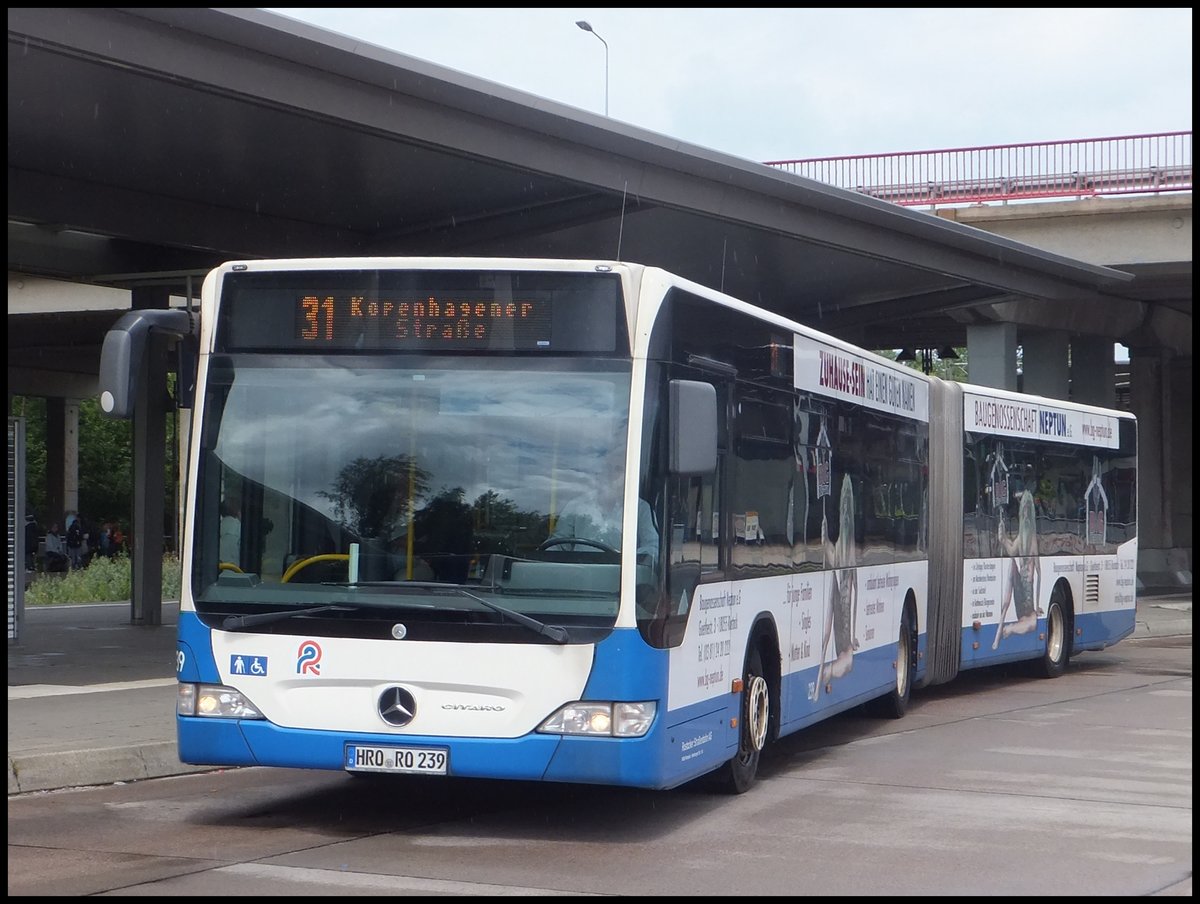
(92,698)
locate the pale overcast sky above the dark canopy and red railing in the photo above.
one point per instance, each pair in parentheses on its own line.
(785,85)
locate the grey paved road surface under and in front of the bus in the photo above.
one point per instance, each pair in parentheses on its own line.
(994,785)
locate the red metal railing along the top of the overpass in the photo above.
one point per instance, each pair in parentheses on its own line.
(1133,165)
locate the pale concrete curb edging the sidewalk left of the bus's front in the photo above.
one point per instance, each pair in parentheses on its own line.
(99,767)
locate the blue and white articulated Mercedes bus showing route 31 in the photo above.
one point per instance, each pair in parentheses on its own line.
(587,522)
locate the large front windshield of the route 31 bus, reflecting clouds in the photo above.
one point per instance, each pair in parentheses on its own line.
(392,480)
